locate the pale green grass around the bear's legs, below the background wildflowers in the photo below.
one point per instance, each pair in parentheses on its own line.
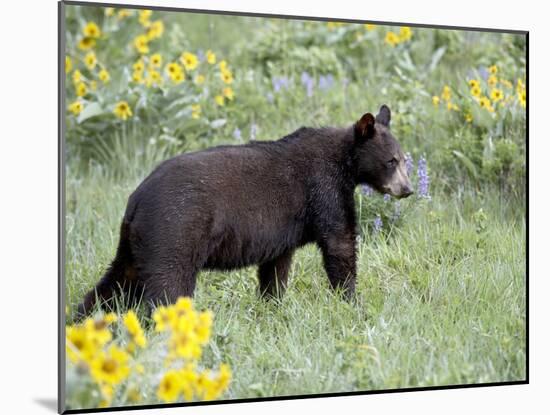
(437,302)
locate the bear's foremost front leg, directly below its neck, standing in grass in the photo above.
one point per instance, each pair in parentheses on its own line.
(339,258)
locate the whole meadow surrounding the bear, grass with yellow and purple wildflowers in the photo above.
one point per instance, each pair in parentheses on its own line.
(441,275)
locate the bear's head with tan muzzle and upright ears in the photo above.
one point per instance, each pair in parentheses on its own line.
(379,161)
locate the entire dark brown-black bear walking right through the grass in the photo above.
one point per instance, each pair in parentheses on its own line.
(233,206)
